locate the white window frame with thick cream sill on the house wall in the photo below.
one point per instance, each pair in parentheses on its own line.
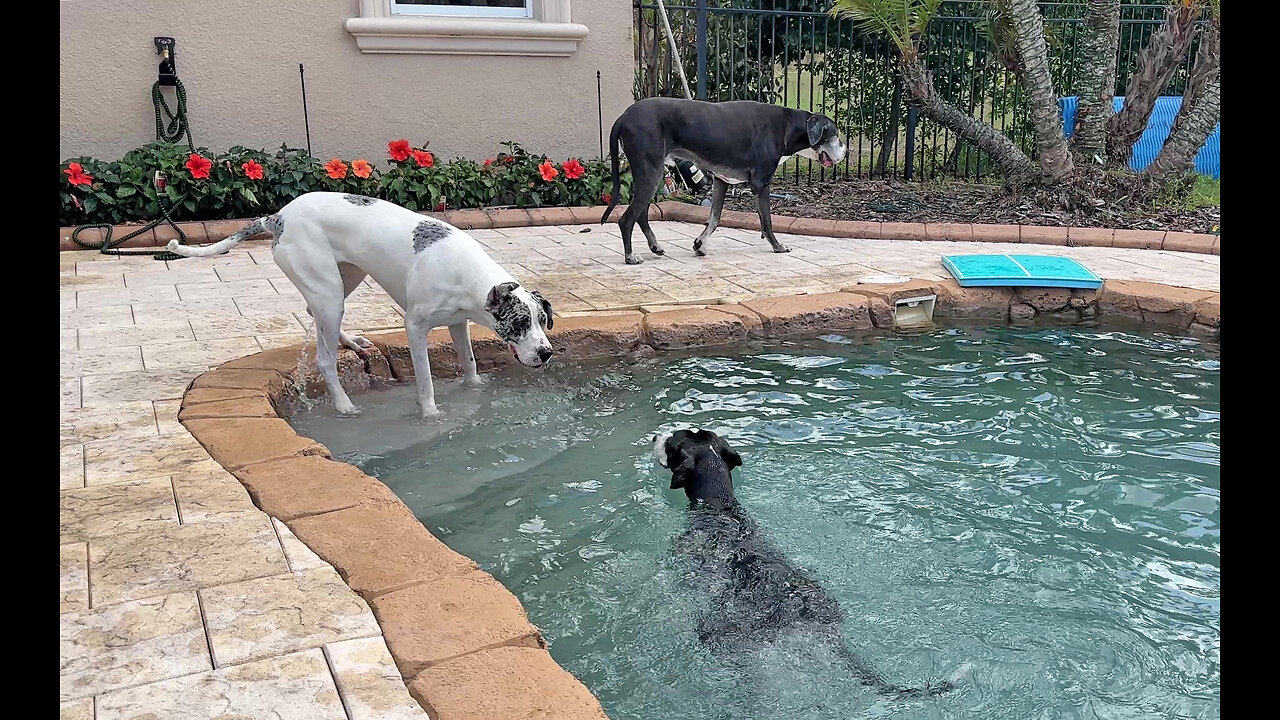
(547,33)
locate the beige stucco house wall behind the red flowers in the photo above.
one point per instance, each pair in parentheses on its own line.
(239,61)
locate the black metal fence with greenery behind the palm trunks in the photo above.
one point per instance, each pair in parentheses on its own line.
(794,53)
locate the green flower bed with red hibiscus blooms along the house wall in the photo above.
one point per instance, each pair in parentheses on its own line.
(249,184)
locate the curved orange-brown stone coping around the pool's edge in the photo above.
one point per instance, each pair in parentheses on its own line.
(461,641)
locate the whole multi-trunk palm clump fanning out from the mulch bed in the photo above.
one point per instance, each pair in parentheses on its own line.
(1017,31)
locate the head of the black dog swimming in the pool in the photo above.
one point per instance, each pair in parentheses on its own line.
(701,463)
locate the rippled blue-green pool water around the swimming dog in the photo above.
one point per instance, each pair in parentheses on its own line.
(1041,504)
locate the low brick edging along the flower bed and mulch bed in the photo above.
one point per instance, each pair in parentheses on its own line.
(213,231)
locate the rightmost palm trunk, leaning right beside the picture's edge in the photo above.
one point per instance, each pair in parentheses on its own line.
(1203,107)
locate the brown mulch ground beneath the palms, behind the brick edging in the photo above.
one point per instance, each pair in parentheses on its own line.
(970,203)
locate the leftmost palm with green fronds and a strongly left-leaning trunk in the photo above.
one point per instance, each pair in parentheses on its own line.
(903,22)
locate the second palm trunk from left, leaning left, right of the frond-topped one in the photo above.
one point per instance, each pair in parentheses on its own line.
(1028,24)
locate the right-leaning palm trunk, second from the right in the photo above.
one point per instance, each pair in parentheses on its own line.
(1158,63)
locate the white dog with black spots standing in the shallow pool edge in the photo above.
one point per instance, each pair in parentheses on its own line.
(328,243)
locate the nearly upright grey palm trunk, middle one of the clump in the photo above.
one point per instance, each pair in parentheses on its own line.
(1098,79)
